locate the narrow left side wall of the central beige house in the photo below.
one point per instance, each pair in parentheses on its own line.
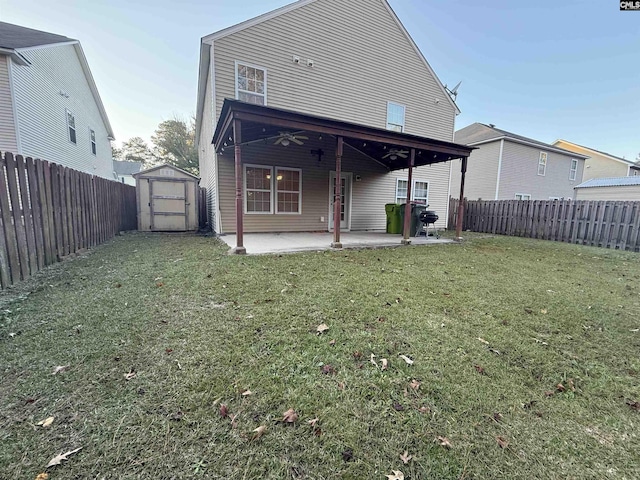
(206,154)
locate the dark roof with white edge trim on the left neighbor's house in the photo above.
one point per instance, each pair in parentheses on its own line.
(15,39)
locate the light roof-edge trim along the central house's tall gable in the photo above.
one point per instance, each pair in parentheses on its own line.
(208,40)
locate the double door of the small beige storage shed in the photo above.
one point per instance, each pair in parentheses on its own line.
(169,207)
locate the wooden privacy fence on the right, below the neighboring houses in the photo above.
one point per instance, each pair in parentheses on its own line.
(607,224)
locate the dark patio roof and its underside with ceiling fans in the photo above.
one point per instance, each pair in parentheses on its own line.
(260,123)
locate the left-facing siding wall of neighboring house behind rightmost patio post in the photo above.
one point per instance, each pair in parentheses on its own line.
(482,173)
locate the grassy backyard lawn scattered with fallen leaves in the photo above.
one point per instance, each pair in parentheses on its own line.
(526,363)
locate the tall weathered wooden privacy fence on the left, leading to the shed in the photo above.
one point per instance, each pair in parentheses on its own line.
(48,212)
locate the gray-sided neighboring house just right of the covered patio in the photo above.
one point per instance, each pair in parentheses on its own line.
(507,166)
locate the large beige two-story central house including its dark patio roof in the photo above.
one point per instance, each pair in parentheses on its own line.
(302,83)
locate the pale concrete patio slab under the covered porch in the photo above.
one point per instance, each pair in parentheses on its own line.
(263,243)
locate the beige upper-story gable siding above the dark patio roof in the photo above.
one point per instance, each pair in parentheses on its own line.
(362,61)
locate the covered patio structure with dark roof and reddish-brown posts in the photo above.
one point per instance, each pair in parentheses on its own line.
(242,124)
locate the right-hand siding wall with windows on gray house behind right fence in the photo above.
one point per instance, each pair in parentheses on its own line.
(520,173)
